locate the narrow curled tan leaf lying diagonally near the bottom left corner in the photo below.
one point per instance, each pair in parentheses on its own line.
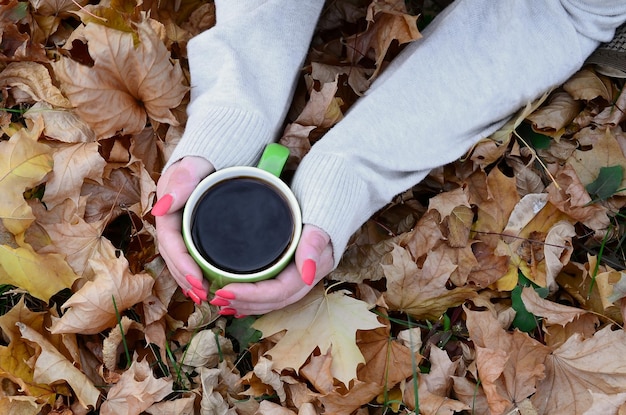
(51,367)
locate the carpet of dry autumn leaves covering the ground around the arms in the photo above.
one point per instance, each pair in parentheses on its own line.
(495,286)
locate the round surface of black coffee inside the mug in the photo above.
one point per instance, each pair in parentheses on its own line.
(242,225)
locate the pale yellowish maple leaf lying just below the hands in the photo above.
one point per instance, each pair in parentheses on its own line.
(325,320)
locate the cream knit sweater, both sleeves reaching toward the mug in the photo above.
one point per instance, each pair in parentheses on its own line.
(478,62)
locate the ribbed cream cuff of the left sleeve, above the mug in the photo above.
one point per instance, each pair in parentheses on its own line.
(225,136)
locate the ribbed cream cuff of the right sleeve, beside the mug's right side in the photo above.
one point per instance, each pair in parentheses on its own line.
(333,197)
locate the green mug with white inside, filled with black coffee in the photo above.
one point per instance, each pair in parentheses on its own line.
(242,223)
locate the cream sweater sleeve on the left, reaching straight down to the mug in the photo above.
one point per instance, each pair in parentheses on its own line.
(243,72)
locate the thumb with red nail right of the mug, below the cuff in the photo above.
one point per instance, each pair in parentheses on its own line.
(314,256)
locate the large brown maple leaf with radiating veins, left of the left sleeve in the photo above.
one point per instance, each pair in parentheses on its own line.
(126,82)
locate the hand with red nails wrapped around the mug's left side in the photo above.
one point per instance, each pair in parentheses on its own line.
(173,189)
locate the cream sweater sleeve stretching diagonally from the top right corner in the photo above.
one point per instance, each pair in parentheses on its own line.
(478,62)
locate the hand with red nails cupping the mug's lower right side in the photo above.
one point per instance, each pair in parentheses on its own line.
(313,261)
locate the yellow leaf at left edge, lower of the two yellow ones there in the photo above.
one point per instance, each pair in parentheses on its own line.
(42,275)
